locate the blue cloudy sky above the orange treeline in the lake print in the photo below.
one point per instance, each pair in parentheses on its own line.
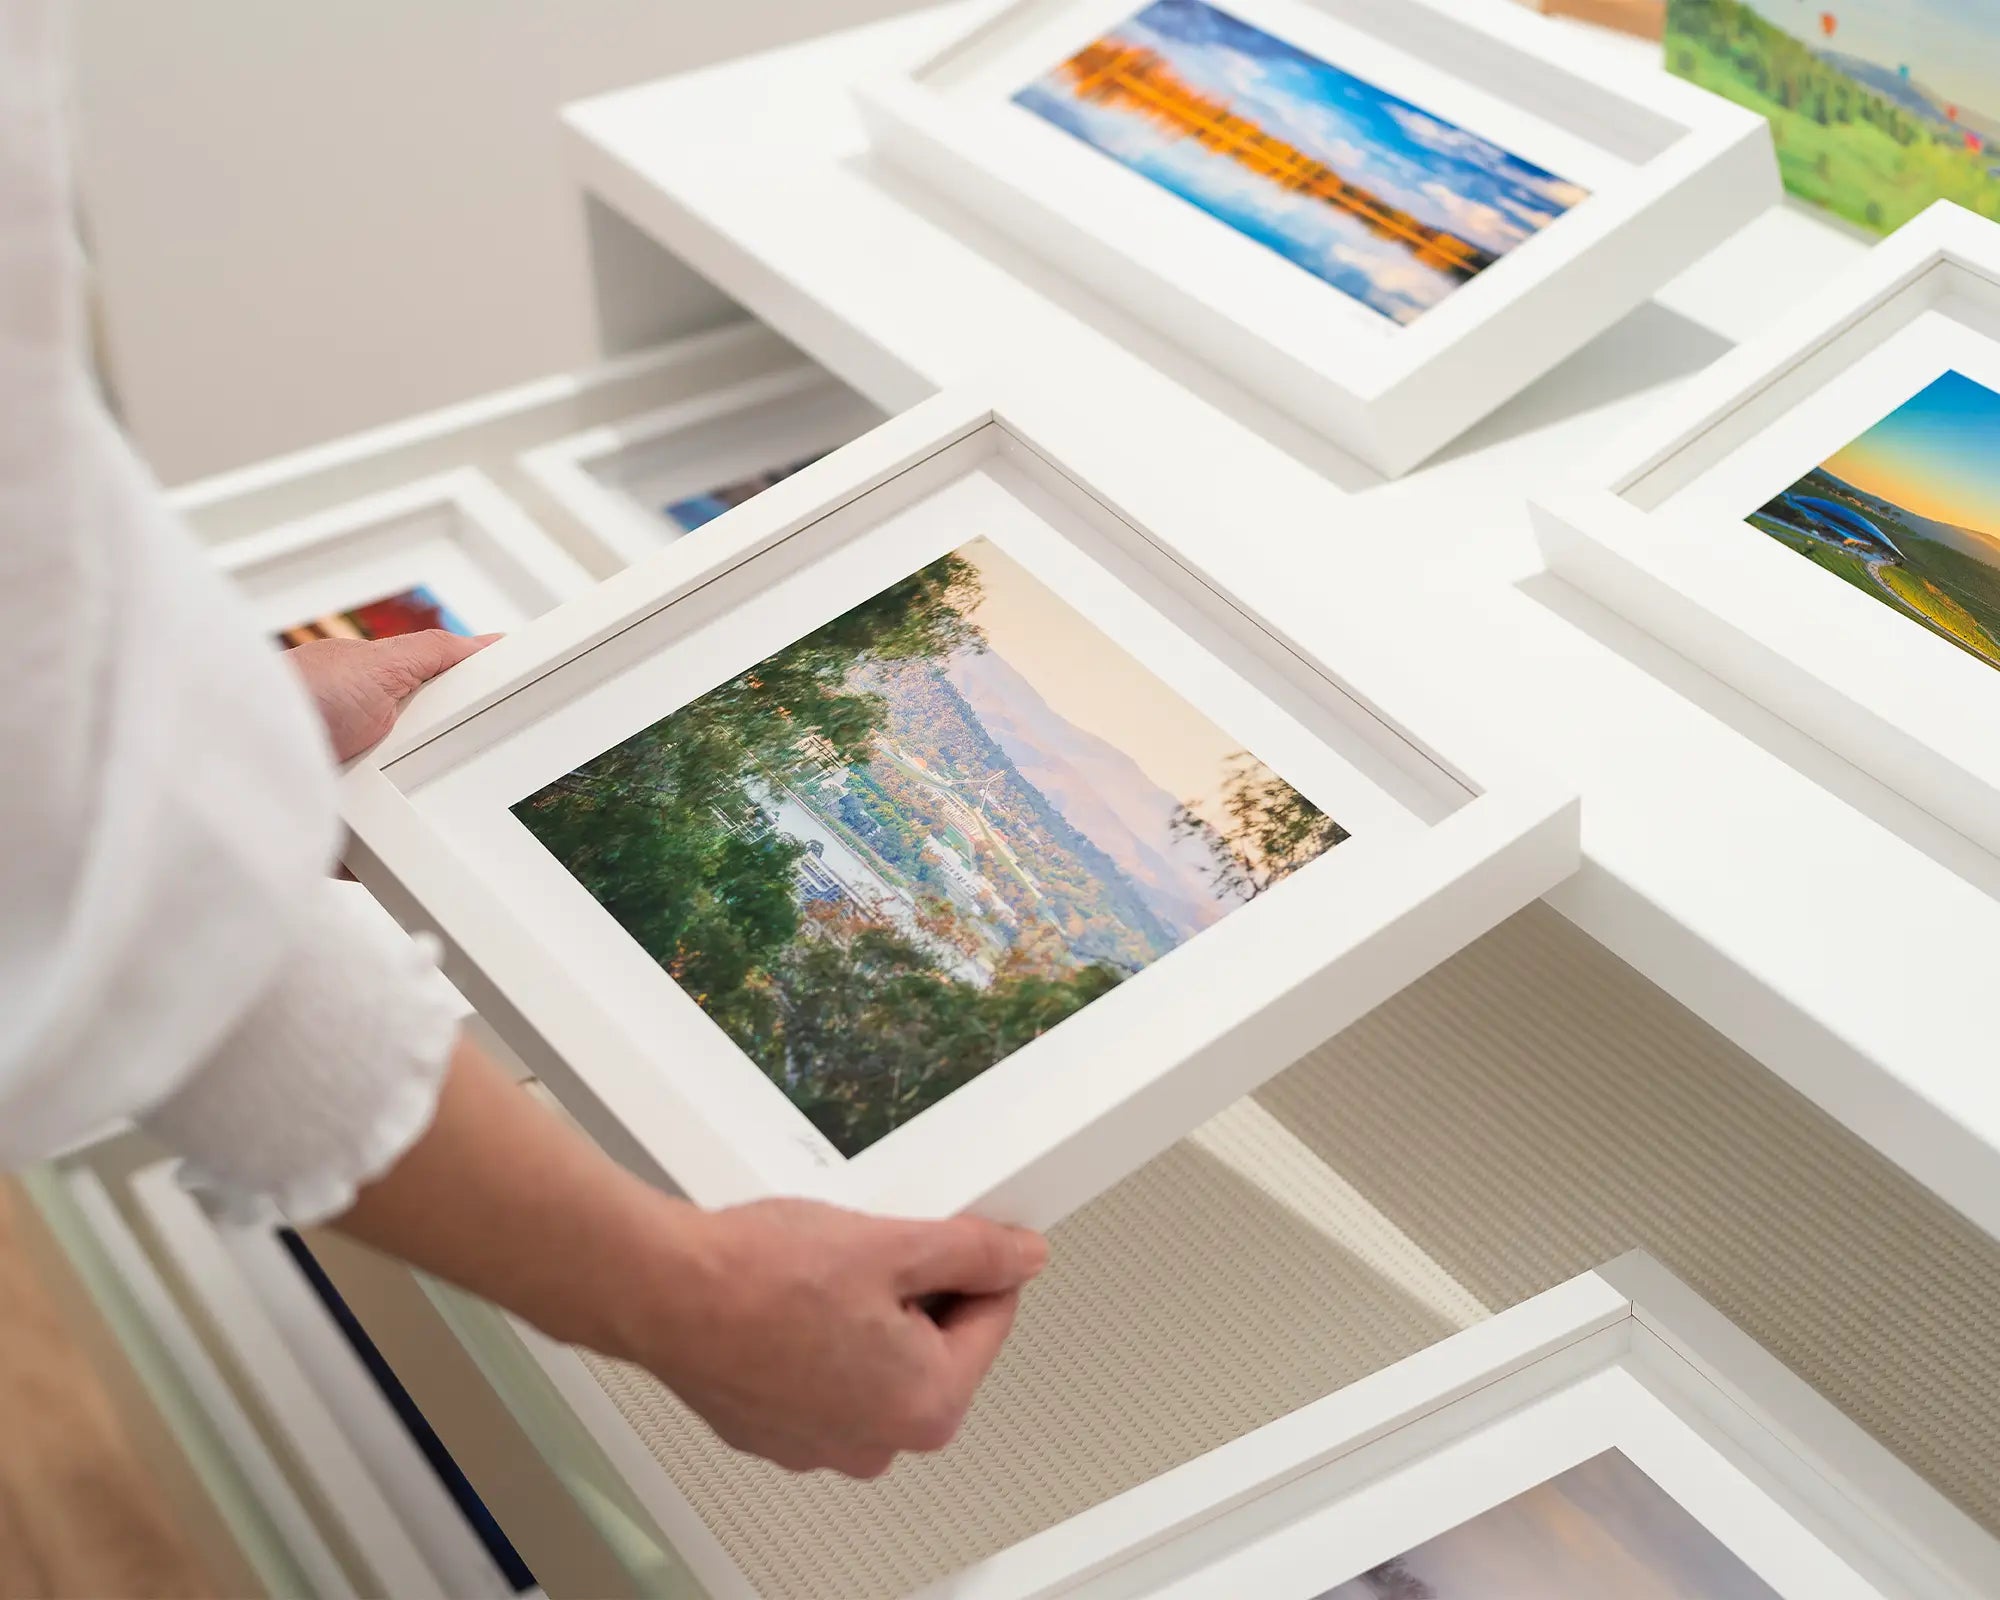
(1419,161)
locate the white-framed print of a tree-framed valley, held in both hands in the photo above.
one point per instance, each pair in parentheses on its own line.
(935,837)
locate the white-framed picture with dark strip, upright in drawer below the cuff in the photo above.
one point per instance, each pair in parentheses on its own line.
(345,1417)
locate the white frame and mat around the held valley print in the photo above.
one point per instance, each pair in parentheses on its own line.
(1451,833)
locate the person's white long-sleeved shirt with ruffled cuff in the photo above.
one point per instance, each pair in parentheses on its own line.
(171,947)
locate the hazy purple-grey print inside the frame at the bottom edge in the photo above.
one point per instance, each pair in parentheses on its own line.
(1593,1533)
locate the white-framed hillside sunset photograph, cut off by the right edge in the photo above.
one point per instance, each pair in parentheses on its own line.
(1817,521)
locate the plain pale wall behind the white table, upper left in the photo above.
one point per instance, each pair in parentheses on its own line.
(321,215)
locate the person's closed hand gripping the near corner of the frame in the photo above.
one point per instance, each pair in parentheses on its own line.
(801,1333)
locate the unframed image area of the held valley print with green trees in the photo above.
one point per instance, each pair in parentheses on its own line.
(901,849)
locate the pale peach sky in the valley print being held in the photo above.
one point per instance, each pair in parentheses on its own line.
(1095,683)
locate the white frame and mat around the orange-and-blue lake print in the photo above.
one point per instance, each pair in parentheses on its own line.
(1685,171)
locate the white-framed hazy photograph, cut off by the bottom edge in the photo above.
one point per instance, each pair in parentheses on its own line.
(1613,1437)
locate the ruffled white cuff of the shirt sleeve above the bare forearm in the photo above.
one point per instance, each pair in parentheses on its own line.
(329,1079)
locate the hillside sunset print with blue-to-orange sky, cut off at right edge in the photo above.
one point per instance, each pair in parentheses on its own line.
(1911,513)
